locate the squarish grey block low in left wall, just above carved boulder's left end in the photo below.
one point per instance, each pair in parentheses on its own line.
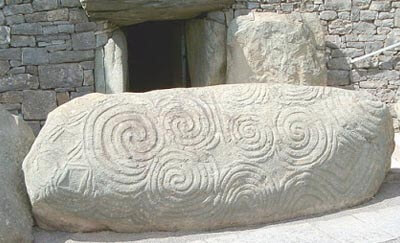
(38,103)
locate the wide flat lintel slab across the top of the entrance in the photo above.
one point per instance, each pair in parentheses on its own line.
(135,11)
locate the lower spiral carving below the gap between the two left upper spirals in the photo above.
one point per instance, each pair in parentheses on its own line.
(182,185)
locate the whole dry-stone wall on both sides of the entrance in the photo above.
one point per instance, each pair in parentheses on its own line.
(47,48)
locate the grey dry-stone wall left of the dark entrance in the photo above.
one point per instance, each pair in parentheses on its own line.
(47,50)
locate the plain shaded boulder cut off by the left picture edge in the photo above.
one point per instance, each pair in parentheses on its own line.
(16,138)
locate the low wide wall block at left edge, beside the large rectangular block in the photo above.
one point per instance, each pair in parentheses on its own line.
(18,82)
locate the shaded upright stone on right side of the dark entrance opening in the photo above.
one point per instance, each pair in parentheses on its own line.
(206,48)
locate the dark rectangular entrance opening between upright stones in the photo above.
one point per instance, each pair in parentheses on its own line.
(156,56)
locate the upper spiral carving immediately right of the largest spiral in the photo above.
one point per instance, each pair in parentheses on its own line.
(190,121)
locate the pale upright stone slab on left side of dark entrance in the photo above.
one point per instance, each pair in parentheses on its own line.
(112,65)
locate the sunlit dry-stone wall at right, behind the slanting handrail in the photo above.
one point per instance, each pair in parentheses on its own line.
(353,28)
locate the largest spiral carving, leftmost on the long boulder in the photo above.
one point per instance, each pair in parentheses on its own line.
(121,139)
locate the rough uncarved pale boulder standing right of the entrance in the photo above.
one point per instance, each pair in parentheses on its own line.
(276,48)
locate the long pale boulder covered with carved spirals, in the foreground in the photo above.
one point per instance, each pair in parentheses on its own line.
(206,158)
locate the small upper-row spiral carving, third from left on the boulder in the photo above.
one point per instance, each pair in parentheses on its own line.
(254,138)
